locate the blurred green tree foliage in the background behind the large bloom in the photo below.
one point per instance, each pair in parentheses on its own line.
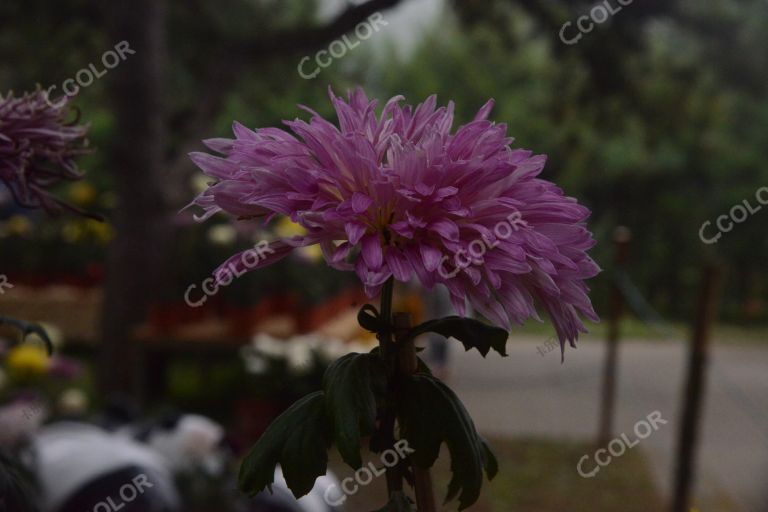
(657,119)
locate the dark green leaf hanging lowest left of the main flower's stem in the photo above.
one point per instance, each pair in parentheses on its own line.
(298,440)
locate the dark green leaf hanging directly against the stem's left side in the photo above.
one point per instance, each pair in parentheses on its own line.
(351,385)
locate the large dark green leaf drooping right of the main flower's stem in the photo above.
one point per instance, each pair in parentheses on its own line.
(432,414)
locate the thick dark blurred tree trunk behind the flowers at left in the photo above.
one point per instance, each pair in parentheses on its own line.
(141,218)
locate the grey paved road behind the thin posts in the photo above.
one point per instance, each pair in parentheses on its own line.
(531,394)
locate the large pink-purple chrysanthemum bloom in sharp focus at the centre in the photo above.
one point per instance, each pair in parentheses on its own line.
(400,195)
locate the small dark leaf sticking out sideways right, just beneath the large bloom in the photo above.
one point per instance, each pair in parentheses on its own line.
(470,332)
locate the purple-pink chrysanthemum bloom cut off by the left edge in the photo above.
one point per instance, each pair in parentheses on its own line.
(38,148)
